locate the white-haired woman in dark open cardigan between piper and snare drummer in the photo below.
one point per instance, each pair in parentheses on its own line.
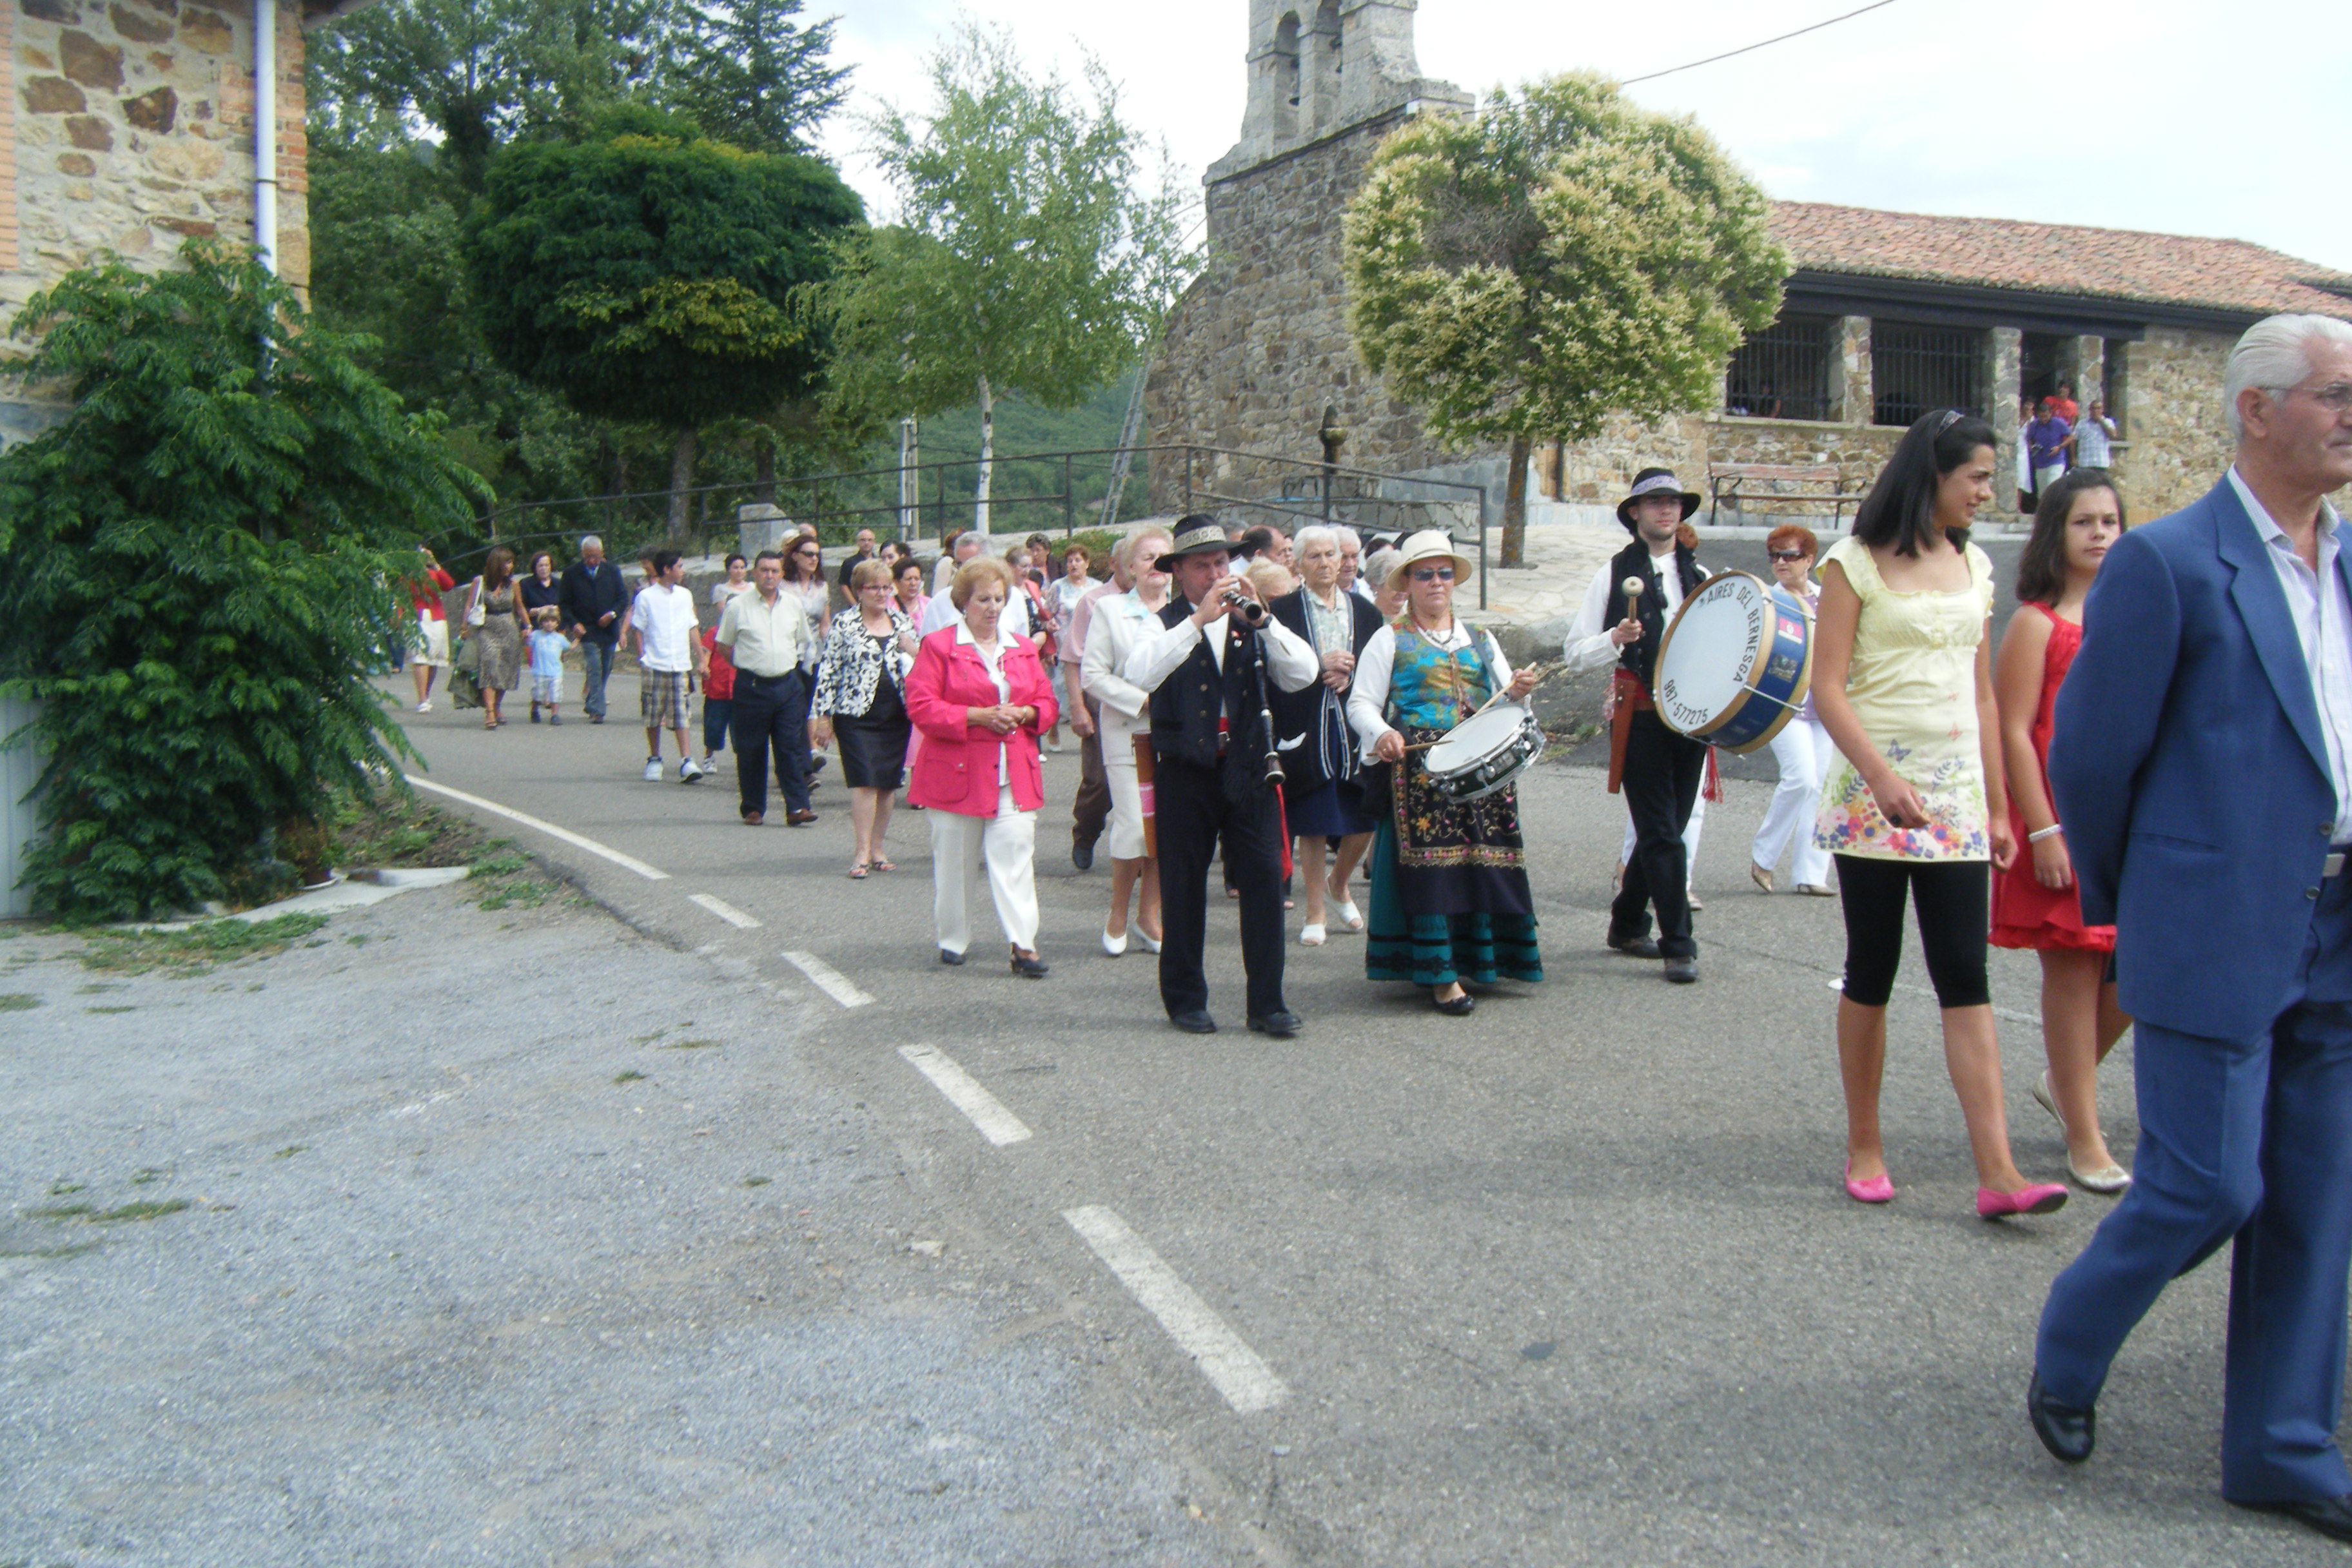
(1321,768)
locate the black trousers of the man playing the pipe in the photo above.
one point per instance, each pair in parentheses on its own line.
(1191,815)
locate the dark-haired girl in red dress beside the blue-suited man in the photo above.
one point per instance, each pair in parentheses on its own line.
(2036,902)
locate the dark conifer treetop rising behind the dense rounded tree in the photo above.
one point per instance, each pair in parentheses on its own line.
(747,74)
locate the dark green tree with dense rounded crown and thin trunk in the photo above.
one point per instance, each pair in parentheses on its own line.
(650,274)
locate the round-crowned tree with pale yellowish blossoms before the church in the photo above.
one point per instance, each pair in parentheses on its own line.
(1551,262)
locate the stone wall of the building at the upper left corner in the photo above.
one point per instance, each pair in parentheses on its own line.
(131,128)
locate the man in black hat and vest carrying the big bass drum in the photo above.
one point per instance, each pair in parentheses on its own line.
(1657,768)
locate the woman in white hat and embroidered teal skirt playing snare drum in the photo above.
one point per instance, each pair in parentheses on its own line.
(1450,892)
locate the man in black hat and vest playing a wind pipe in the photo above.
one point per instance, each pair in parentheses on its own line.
(1215,770)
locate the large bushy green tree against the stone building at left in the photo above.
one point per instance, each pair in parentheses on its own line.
(199,570)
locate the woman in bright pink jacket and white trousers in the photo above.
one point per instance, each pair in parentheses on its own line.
(980,702)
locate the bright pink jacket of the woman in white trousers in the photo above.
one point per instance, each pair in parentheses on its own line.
(956,770)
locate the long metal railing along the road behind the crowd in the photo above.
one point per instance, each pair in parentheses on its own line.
(1029,492)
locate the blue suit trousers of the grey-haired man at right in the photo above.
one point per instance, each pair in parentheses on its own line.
(2247,1144)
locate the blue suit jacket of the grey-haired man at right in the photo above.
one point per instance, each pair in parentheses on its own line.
(2191,775)
